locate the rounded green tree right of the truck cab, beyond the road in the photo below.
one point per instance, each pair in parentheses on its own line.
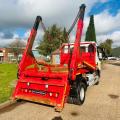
(107,46)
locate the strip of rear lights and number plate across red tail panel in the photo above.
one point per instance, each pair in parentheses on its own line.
(51,94)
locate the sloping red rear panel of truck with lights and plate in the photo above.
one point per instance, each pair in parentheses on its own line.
(52,92)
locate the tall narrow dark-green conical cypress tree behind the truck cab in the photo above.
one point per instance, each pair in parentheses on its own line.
(90,34)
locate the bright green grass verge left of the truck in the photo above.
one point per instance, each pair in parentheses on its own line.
(7,77)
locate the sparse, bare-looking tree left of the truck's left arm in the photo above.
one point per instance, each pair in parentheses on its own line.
(16,48)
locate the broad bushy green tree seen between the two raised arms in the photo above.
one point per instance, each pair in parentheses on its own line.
(52,40)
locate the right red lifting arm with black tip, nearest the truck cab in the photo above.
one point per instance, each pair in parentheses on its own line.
(76,49)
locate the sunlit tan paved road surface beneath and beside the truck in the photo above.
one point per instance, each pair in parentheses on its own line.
(102,103)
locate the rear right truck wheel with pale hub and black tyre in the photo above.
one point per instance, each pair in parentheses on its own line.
(81,89)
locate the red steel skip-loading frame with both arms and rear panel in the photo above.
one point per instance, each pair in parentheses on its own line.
(48,84)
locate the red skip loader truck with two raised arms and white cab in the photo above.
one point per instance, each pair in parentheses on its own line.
(56,84)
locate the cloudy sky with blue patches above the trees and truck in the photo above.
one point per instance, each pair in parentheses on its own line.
(17,18)
